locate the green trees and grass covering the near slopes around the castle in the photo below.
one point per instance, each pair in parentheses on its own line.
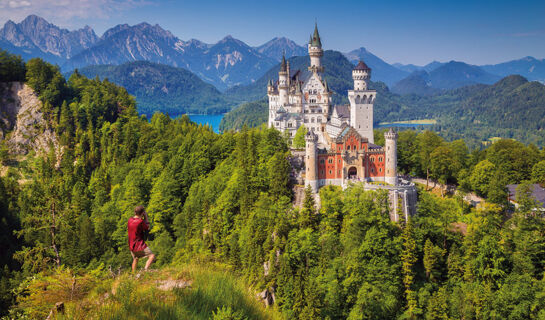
(224,202)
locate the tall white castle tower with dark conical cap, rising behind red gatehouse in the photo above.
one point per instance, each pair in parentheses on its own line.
(361,102)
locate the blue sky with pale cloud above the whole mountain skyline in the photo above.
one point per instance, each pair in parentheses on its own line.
(418,32)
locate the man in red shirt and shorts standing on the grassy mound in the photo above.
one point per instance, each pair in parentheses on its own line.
(136,226)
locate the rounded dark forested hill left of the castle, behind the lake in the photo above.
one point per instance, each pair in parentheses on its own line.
(162,88)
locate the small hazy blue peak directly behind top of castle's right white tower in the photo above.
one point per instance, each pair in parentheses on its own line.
(381,71)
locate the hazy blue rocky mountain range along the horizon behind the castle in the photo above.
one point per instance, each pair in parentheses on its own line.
(229,62)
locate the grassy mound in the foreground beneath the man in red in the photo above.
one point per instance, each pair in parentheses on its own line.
(213,291)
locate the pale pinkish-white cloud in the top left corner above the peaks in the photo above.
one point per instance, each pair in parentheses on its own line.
(64,12)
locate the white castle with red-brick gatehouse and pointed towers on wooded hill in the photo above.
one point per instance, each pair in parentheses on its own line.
(340,145)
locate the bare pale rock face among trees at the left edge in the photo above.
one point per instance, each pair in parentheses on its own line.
(22,122)
